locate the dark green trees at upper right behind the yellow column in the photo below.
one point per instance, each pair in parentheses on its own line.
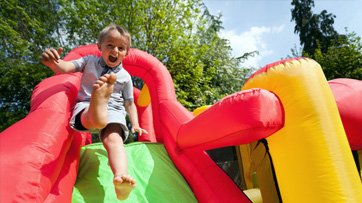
(339,55)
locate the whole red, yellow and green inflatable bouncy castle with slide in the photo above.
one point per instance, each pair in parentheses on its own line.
(289,104)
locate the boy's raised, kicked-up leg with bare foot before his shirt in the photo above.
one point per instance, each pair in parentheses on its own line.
(95,116)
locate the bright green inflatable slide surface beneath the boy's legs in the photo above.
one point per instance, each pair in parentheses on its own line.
(157,178)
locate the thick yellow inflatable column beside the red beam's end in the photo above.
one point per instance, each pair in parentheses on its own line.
(311,154)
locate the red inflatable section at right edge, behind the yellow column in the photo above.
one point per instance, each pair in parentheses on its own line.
(348,95)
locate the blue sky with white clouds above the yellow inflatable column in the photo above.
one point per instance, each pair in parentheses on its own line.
(265,25)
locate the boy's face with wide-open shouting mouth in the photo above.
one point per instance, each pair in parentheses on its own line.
(114,48)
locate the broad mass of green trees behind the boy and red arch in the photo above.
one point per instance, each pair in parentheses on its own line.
(180,33)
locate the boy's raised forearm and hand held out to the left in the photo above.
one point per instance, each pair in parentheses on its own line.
(51,58)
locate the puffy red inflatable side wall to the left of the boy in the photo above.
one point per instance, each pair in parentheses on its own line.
(33,151)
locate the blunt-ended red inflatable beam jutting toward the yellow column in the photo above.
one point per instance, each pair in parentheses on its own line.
(241,114)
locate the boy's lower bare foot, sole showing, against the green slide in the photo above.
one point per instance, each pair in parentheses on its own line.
(123,186)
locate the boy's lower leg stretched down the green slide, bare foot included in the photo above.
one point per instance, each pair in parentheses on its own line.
(117,158)
